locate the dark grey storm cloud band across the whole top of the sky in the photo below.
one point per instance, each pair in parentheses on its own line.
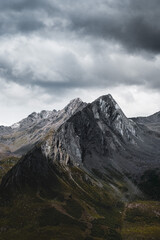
(134,24)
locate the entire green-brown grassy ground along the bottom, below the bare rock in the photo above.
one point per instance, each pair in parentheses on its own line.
(78,208)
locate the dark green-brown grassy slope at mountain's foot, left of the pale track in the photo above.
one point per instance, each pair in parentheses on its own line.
(79,210)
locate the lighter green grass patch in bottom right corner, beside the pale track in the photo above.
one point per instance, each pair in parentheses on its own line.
(142,221)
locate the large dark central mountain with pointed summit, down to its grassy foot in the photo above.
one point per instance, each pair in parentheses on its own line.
(92,162)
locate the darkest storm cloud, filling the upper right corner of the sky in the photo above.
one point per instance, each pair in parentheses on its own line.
(134,24)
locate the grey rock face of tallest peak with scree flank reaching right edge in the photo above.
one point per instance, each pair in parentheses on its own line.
(101,136)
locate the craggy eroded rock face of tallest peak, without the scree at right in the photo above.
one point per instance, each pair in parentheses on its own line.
(92,136)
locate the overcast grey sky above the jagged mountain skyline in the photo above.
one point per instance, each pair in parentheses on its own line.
(52,51)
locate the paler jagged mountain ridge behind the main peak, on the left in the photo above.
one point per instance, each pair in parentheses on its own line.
(20,137)
